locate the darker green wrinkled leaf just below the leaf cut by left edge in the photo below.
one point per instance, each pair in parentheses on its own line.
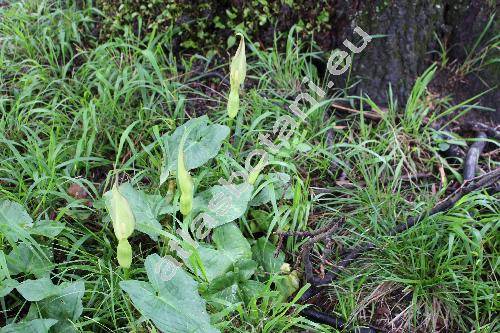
(25,259)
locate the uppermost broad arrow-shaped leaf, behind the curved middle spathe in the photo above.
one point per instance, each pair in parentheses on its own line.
(202,144)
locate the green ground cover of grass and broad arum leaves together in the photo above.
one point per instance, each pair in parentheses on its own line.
(80,116)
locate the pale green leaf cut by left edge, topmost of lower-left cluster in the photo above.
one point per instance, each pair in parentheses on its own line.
(14,221)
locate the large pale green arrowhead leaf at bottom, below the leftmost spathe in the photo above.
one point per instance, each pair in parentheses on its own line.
(173,305)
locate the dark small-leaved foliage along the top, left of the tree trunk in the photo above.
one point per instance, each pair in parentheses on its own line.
(209,24)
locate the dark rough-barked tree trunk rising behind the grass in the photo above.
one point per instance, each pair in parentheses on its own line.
(410,29)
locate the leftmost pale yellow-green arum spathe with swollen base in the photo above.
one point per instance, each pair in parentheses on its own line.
(123,221)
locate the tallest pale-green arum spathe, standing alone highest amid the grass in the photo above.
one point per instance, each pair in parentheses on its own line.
(238,70)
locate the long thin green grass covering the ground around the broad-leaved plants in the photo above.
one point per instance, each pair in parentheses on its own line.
(74,109)
